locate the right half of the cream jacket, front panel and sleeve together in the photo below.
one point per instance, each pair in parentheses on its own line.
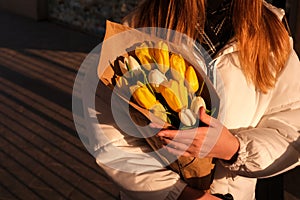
(267,125)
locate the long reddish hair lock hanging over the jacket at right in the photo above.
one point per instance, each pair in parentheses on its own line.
(263,42)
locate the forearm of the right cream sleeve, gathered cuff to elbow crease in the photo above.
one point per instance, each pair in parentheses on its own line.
(271,148)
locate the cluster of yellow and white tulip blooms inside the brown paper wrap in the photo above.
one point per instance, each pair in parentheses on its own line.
(161,82)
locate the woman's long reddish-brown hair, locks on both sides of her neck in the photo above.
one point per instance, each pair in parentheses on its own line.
(262,39)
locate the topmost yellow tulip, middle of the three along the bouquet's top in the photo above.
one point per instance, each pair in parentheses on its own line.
(161,56)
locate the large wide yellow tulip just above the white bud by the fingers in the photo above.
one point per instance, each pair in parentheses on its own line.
(175,94)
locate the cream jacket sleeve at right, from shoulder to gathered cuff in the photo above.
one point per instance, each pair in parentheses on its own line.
(273,146)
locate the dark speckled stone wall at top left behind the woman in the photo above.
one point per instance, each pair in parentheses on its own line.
(89,15)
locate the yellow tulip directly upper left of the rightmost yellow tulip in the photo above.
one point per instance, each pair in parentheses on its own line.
(178,67)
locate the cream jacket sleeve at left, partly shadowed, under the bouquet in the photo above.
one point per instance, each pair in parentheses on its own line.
(123,154)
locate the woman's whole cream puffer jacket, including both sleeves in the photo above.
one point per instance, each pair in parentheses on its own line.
(267,126)
